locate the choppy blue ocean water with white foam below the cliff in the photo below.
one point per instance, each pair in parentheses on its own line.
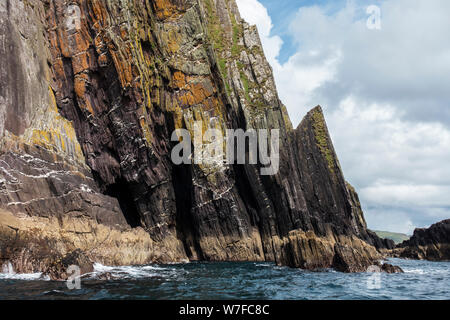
(230,280)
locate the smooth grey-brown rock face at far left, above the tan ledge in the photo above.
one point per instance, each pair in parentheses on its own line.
(42,167)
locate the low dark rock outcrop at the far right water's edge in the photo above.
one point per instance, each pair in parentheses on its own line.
(427,244)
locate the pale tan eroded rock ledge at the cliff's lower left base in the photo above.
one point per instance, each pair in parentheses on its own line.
(50,245)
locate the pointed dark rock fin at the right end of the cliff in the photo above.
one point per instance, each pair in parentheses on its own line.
(321,178)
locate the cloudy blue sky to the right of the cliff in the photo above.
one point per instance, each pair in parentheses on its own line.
(385,93)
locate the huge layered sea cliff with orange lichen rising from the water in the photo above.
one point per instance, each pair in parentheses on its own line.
(91,91)
